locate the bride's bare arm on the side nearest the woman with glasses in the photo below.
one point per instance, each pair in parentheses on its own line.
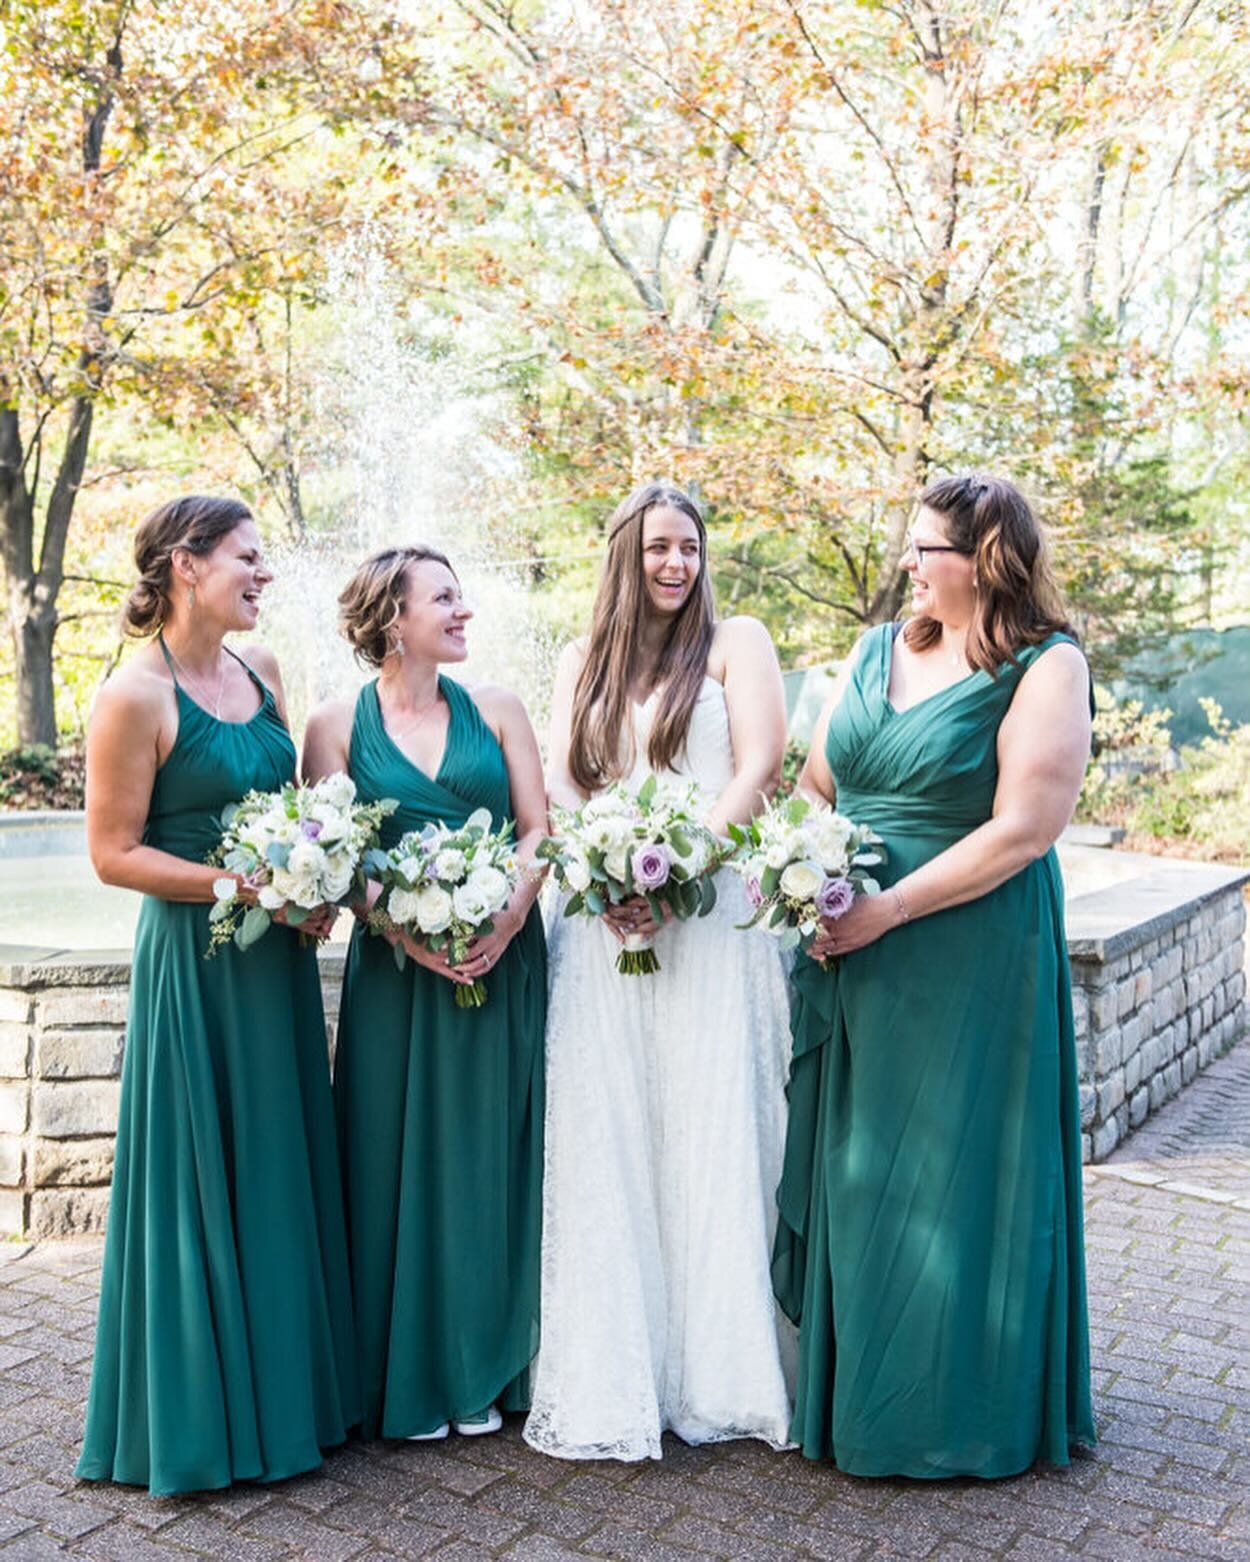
(757,705)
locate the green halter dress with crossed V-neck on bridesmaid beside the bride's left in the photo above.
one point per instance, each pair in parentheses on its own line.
(441,1125)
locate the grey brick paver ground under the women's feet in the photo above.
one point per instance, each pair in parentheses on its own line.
(1170,1257)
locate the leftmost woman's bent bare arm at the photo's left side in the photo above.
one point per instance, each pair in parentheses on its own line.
(124,754)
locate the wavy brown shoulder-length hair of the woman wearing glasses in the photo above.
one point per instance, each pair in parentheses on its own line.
(1018,602)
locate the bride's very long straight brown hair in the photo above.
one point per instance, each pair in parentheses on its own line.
(615,651)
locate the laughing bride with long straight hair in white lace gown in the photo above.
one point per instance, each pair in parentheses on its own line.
(665,1093)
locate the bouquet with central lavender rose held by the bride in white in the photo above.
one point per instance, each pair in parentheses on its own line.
(624,844)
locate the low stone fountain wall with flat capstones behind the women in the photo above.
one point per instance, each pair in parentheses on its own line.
(1159,988)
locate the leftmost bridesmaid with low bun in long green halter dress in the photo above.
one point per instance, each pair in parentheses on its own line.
(224,1349)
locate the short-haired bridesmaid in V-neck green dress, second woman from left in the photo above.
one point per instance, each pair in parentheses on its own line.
(440,1108)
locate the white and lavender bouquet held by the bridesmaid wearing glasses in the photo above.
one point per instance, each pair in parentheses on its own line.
(804,865)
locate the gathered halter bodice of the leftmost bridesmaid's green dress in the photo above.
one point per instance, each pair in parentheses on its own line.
(212,765)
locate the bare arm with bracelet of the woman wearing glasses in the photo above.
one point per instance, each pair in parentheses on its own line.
(1043,752)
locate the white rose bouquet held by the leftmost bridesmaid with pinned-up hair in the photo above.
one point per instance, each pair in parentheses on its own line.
(299,849)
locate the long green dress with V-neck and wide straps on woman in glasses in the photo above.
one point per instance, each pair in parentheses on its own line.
(930,1207)
